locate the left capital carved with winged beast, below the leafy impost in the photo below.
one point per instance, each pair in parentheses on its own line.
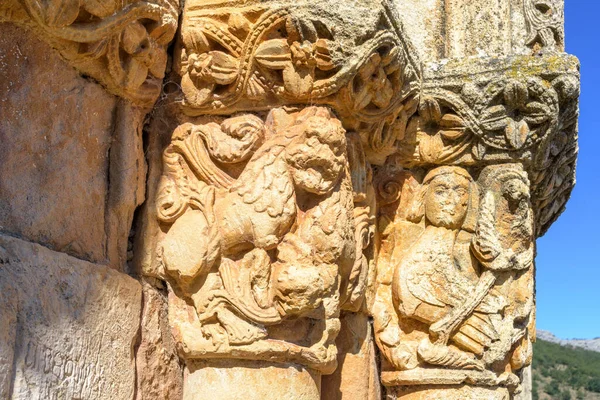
(283,240)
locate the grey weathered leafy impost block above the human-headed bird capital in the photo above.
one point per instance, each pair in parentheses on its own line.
(521,108)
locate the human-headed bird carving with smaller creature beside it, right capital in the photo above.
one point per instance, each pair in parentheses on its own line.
(457,289)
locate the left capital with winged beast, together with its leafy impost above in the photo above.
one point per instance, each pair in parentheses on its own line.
(266,204)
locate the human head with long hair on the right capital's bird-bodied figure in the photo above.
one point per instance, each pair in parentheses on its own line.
(446,198)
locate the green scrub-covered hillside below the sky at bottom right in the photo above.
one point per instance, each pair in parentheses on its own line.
(565,372)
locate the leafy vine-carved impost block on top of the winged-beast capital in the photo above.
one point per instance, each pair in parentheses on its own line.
(239,57)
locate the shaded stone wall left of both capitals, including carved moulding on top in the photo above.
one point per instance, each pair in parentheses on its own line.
(72,173)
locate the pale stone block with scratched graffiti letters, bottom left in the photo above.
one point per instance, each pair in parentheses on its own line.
(73,325)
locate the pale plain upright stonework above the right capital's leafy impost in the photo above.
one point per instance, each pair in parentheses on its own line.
(455,29)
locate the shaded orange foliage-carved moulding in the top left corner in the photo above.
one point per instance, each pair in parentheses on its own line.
(121,44)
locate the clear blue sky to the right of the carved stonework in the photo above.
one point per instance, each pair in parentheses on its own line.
(568,261)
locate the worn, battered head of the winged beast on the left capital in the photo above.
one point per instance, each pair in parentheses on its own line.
(317,157)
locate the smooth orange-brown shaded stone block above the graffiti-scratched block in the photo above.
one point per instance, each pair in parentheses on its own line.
(55,129)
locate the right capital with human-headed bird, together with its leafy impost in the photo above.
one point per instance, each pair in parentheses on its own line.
(486,165)
